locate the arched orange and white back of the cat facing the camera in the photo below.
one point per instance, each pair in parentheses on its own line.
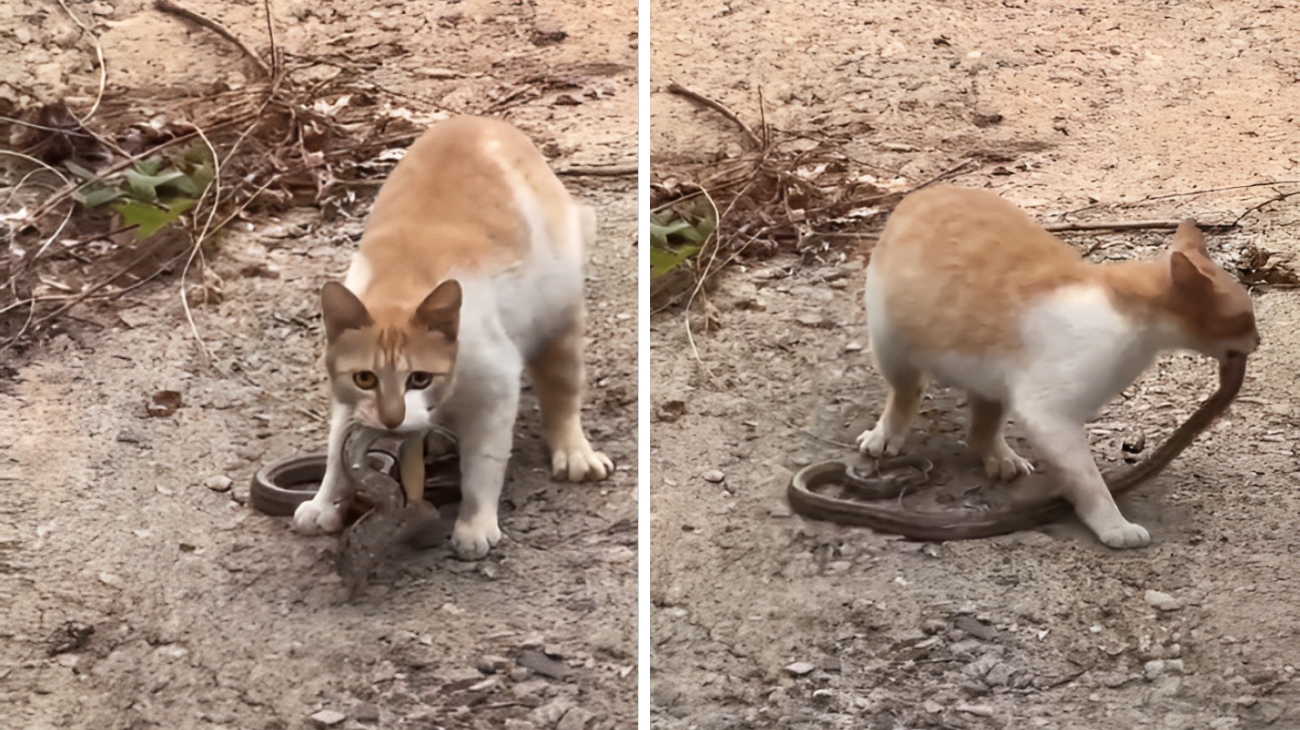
(473,195)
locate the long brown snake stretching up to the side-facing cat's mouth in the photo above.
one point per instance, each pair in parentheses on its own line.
(955,525)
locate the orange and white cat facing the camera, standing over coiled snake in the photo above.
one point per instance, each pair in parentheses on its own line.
(470,272)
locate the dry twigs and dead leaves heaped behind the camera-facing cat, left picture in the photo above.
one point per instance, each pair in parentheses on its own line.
(275,144)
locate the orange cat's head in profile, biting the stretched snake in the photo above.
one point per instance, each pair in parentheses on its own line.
(1212,306)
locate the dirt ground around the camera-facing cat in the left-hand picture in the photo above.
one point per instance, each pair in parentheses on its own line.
(133,594)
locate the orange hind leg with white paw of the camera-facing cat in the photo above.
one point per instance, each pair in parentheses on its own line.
(557,376)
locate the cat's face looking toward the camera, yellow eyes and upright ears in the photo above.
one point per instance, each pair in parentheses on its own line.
(392,364)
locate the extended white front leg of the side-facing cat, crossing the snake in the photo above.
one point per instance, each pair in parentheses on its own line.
(1064,446)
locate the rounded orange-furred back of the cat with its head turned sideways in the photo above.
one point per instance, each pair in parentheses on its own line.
(956,268)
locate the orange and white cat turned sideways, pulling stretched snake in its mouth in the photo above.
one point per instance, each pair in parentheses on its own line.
(967,289)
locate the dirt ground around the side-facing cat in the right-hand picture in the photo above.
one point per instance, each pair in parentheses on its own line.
(765,620)
